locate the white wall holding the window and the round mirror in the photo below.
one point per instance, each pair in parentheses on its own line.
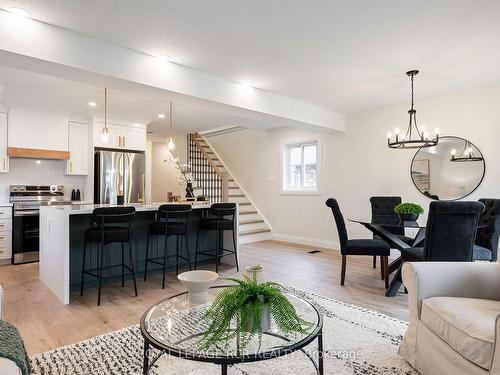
(358,164)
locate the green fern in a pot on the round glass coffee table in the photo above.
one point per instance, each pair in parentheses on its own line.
(246,310)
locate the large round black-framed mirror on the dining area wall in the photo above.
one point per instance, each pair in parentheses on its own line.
(452,169)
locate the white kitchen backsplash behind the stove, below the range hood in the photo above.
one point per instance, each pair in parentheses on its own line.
(39,172)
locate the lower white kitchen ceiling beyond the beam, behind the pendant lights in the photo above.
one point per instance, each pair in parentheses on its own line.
(130,103)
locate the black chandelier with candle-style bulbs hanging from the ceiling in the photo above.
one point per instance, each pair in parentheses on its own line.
(414,137)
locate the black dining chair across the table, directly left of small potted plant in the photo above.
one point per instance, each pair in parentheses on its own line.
(383,213)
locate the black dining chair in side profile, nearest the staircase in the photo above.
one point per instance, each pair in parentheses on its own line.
(370,247)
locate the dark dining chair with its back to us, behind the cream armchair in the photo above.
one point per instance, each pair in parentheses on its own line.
(450,233)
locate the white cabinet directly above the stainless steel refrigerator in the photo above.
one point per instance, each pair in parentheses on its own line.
(121,137)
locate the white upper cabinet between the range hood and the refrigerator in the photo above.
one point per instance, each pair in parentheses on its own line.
(77,164)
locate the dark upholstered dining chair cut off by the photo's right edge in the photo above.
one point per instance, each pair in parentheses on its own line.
(486,245)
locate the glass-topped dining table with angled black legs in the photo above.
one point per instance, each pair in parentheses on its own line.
(383,231)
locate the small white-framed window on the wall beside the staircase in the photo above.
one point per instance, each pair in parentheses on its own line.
(300,168)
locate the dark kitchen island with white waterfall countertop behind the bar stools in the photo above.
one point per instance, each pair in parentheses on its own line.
(62,230)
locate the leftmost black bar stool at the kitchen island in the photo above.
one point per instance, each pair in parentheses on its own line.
(109,225)
